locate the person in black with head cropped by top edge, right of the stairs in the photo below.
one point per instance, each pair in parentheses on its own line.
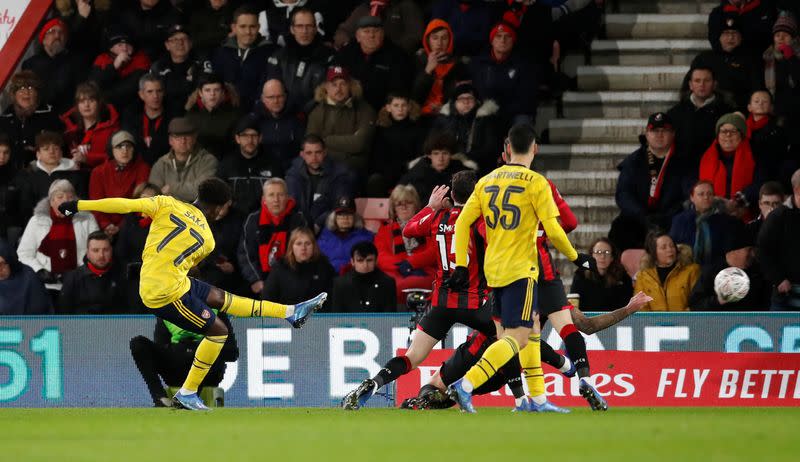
(756,18)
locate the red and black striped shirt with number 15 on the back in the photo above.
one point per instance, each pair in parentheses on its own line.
(440,226)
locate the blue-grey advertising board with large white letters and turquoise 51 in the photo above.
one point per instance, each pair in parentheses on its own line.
(70,361)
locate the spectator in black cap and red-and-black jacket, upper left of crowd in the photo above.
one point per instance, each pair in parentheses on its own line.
(118,70)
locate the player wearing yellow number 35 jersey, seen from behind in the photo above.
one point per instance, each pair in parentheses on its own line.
(514,200)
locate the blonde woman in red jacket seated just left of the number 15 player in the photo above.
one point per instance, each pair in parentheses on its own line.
(410,261)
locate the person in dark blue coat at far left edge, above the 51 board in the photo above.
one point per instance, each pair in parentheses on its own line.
(21,292)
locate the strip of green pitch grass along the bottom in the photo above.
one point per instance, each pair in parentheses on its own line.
(267,434)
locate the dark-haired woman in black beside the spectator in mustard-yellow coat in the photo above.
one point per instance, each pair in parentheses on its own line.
(607,289)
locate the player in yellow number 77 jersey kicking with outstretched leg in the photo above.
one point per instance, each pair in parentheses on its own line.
(179,239)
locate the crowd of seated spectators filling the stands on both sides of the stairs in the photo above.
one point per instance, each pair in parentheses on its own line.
(302,106)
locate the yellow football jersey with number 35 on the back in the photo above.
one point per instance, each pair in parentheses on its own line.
(513,199)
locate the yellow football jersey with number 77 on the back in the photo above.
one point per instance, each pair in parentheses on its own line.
(179,239)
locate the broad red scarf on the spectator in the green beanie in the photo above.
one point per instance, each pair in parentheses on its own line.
(712,169)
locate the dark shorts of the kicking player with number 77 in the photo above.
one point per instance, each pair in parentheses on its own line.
(190,312)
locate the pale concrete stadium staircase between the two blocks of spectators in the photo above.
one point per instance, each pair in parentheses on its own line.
(635,70)
